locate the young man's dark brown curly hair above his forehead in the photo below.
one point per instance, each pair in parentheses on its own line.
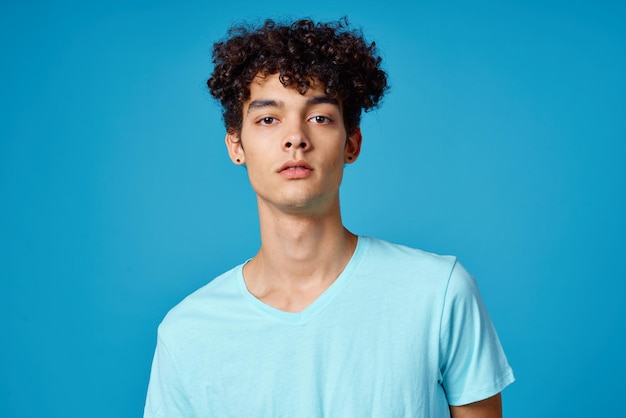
(330,53)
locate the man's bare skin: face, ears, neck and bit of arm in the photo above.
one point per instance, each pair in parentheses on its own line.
(304,245)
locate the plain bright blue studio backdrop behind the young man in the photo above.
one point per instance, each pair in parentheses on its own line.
(502,141)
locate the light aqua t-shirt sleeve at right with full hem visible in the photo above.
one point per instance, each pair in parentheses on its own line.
(473,365)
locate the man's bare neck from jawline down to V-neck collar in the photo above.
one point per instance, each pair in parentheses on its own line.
(300,256)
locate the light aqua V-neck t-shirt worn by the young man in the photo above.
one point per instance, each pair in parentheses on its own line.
(400,333)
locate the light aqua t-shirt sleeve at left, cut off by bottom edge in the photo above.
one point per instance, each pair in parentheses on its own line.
(166,397)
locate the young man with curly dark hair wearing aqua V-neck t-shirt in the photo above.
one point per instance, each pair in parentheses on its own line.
(320,322)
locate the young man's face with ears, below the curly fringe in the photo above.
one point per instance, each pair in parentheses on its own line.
(294,146)
